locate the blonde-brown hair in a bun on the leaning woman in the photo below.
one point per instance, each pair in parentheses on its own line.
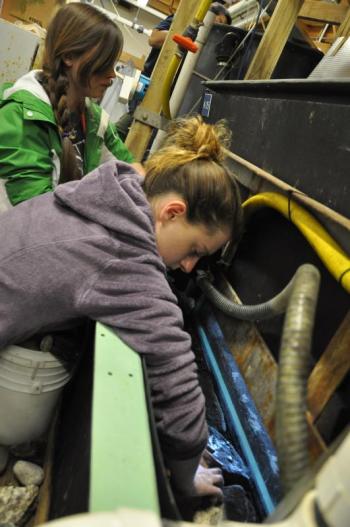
(190,163)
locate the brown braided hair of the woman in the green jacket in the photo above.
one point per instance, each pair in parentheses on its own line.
(76,29)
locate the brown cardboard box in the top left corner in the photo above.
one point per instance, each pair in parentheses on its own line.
(30,11)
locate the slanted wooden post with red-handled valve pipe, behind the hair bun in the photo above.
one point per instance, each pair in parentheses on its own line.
(140,134)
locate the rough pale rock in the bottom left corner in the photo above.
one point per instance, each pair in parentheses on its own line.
(16,502)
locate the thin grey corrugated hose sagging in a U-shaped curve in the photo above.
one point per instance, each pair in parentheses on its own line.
(273,307)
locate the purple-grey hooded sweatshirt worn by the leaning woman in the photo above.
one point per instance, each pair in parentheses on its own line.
(89,250)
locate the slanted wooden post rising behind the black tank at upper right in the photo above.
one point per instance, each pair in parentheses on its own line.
(274,39)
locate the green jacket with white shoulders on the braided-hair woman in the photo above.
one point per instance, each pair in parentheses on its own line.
(30,145)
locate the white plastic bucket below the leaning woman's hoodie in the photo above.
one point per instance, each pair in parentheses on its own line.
(30,384)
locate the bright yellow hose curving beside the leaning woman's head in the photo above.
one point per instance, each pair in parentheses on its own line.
(332,255)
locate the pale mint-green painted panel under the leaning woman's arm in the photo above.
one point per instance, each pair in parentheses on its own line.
(122,468)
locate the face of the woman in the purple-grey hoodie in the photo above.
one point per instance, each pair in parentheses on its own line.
(181,244)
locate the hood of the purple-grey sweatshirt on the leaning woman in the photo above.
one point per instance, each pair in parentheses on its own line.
(112,196)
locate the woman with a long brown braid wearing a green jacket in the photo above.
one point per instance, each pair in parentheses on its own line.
(48,119)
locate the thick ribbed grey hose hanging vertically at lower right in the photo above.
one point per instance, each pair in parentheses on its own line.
(294,359)
